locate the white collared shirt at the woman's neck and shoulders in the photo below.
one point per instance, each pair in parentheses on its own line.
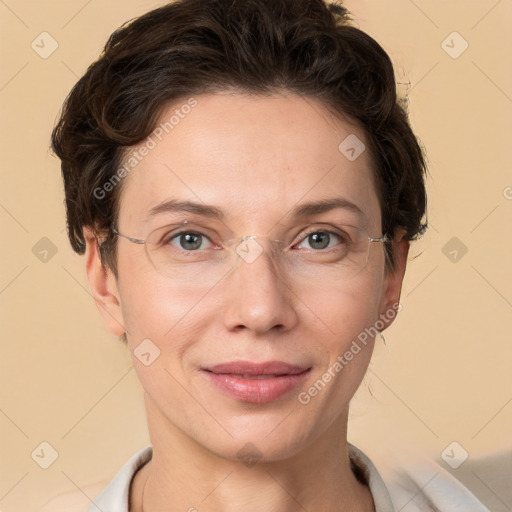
(418,490)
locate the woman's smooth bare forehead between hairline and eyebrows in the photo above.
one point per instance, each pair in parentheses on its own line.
(254,157)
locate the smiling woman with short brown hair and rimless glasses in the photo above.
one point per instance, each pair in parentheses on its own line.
(244,185)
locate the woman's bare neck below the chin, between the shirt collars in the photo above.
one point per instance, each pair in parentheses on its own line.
(184,476)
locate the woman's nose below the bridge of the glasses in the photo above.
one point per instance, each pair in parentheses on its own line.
(258,295)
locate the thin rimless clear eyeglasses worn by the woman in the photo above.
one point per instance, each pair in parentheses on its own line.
(189,253)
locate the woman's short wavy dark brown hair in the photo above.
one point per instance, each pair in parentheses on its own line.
(189,47)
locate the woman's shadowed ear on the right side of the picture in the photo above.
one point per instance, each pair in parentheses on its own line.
(394,278)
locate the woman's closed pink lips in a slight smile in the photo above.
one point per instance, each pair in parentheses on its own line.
(256,383)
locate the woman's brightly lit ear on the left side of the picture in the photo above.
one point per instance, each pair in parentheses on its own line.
(103,285)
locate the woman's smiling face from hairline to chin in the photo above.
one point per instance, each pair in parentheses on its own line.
(259,343)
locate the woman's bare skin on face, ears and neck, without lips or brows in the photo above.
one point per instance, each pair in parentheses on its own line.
(256,158)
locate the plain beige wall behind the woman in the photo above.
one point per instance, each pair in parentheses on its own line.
(444,375)
